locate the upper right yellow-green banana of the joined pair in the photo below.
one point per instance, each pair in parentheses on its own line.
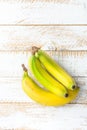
(55,70)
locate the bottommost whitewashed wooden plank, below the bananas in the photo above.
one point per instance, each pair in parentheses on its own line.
(33,117)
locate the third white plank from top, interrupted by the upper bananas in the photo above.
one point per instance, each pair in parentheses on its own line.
(75,62)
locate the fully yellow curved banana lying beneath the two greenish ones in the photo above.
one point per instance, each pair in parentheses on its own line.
(42,96)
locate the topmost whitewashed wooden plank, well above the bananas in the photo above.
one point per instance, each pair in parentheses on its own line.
(43,12)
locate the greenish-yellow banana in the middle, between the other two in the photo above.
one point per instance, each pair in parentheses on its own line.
(45,79)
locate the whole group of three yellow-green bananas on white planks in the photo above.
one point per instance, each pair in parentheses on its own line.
(58,87)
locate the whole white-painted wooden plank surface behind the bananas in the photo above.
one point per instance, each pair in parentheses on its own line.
(42,23)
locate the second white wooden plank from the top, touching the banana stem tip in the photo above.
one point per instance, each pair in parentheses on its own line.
(49,37)
